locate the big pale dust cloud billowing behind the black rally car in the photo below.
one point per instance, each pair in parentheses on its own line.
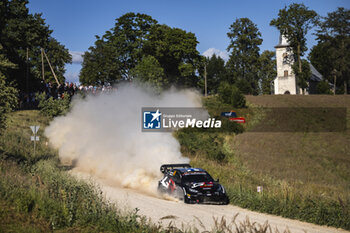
(101,136)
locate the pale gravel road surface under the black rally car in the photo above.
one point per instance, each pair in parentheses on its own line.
(165,210)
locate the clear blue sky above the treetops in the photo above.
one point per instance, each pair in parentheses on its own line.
(76,22)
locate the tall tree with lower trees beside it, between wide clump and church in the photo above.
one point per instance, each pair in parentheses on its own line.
(251,72)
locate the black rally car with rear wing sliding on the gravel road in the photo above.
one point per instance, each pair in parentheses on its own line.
(193,185)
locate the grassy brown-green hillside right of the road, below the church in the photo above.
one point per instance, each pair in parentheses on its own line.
(304,175)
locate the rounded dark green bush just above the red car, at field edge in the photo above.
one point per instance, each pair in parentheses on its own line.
(230,94)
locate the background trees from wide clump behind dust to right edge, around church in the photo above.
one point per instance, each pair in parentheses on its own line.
(138,48)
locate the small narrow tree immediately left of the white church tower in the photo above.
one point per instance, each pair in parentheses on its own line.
(267,72)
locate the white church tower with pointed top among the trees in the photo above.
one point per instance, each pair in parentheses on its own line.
(285,82)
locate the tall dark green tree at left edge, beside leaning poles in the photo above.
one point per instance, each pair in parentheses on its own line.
(22,35)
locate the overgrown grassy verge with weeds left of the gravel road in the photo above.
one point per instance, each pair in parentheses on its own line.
(38,195)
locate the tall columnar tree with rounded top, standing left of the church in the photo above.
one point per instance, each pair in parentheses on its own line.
(245,39)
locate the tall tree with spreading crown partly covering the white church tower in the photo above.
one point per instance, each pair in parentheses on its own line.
(294,22)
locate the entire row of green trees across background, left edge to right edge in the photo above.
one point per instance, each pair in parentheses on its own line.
(139,48)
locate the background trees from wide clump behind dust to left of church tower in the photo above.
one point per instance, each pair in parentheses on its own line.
(138,48)
